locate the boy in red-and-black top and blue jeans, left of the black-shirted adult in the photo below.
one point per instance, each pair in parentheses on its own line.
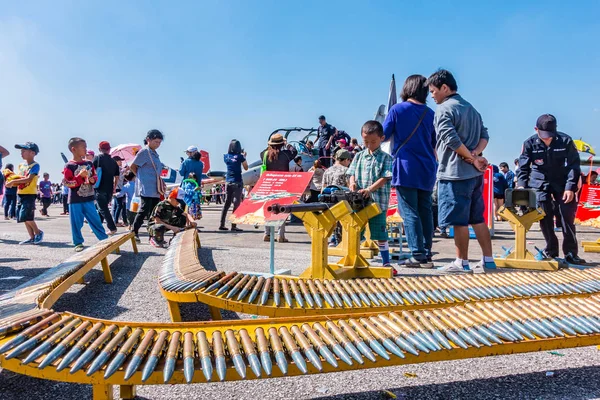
(80,177)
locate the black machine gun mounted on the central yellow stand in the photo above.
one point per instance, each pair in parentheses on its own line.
(331,195)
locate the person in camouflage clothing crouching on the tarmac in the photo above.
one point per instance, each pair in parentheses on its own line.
(168,216)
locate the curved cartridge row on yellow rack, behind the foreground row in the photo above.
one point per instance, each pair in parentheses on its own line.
(183,279)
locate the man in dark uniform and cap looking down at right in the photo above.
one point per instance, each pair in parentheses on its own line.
(549,163)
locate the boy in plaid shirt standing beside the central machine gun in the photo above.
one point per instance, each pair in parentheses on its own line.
(371,173)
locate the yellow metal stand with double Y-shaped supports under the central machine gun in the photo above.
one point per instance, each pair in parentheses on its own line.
(320,225)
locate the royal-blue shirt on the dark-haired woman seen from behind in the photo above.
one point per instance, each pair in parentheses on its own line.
(414,165)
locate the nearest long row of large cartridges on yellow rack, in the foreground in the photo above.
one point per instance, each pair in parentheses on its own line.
(68,347)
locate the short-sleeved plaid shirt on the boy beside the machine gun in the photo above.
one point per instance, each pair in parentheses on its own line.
(368,168)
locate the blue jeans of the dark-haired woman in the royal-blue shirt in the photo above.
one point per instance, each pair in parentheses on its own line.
(416,210)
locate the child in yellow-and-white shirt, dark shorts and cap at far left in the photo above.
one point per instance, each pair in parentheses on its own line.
(27,191)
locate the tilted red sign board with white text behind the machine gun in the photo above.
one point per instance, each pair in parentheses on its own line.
(272,187)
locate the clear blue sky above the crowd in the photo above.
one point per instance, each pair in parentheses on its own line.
(206,72)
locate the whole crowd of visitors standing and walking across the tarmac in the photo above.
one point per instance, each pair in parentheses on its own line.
(436,167)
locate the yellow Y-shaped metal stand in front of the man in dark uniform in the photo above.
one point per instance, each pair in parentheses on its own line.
(521,258)
